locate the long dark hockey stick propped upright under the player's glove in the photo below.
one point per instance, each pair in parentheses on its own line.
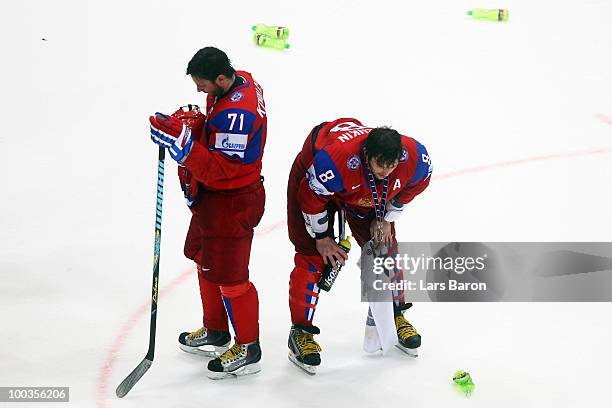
(127,384)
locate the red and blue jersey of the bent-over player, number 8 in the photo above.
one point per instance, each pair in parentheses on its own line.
(337,171)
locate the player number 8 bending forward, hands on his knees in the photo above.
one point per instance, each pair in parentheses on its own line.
(371,173)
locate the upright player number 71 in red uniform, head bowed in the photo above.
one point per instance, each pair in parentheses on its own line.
(219,159)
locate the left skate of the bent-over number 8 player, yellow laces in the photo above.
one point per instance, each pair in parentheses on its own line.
(303,349)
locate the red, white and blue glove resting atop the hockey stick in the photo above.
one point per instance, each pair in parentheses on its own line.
(172,134)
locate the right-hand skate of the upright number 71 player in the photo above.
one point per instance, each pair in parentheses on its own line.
(241,359)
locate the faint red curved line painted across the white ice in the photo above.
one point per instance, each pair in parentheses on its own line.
(126,329)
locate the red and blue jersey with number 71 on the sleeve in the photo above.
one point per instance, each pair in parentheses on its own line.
(227,153)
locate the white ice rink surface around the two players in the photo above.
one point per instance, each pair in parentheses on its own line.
(78,192)
